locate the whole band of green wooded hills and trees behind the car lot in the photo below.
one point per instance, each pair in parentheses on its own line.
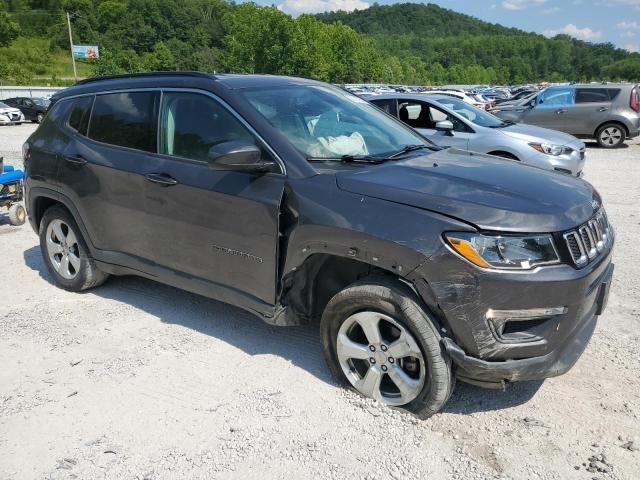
(406,43)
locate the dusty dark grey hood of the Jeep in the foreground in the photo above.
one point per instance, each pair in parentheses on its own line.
(488,192)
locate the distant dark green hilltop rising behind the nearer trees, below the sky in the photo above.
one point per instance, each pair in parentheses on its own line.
(416,18)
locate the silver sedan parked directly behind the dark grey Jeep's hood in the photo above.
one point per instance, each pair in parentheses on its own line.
(450,122)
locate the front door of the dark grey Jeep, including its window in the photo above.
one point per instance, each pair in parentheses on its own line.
(212,224)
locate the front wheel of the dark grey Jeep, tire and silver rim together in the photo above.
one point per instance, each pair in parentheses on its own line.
(430,381)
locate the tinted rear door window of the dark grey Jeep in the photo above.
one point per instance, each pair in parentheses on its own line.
(126,119)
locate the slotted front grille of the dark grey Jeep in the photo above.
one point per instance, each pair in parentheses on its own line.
(589,240)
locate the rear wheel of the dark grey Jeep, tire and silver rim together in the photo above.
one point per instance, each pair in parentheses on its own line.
(60,237)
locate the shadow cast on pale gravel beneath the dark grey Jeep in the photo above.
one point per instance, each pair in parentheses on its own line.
(300,345)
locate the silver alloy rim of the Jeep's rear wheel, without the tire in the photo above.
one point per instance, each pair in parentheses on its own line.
(63,249)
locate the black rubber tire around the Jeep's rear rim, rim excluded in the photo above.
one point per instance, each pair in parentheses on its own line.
(75,284)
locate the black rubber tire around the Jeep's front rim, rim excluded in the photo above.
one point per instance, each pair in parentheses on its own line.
(401,305)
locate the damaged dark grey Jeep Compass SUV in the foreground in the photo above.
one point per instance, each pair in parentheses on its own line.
(298,201)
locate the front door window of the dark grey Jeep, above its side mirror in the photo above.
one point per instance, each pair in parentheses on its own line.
(191,123)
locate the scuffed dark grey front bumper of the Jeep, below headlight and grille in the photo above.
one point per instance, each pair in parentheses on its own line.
(462,295)
